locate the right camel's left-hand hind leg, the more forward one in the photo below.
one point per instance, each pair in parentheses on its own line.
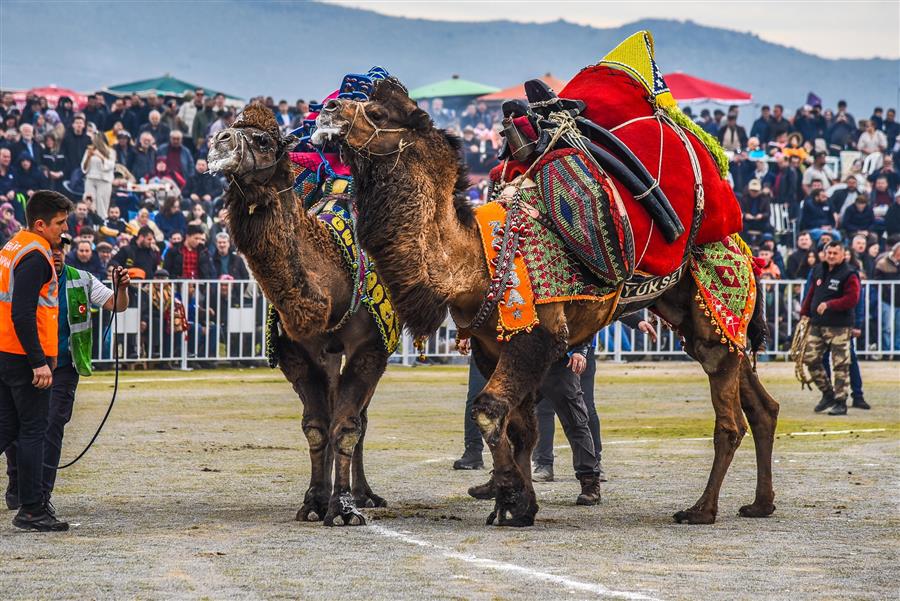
(723,369)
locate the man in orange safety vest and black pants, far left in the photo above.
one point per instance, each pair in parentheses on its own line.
(29,306)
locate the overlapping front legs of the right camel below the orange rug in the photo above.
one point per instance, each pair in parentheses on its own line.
(523,362)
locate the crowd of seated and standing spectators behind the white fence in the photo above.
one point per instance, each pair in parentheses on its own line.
(136,169)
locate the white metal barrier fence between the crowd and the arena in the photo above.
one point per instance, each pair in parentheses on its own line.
(191,321)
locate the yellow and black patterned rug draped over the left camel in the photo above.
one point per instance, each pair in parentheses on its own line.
(336,215)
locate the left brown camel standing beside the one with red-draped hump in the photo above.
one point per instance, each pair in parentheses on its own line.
(300,269)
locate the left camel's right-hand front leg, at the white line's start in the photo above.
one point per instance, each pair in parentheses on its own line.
(357,382)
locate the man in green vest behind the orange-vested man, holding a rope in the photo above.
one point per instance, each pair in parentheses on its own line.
(81,292)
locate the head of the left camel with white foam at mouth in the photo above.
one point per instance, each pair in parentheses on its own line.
(250,149)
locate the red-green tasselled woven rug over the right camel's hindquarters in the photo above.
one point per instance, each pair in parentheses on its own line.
(723,272)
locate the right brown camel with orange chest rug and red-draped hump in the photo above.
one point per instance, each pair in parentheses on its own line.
(417,224)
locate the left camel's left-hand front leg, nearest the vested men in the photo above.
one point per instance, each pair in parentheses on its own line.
(311,386)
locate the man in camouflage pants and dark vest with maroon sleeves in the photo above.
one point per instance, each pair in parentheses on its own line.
(830,303)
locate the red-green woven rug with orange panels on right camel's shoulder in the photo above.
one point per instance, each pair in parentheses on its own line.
(545,271)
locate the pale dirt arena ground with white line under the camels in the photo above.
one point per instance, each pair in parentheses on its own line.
(191,492)
